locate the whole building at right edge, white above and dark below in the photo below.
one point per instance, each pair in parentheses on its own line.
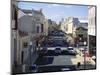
(92,29)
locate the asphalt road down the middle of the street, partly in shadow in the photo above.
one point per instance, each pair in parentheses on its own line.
(50,61)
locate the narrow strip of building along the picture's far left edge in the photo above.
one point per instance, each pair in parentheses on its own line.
(14,37)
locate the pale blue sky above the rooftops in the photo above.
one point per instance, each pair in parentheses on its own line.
(56,12)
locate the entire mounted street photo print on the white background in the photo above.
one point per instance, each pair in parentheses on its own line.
(50,37)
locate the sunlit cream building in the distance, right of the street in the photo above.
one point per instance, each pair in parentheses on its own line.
(68,25)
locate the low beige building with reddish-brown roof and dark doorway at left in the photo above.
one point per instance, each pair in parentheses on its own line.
(23,47)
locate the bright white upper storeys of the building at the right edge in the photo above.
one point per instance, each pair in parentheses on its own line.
(92,20)
